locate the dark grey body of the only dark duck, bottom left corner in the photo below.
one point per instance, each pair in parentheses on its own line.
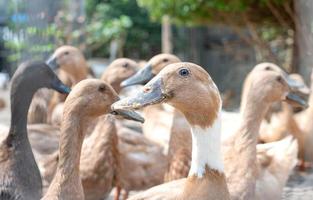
(19,179)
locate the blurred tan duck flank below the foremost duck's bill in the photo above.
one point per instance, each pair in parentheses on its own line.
(142,161)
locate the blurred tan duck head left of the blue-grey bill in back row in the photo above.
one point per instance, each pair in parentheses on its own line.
(119,70)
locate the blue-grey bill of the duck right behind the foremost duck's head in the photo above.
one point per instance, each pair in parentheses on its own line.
(143,76)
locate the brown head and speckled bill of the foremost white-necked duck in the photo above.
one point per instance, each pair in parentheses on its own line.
(185,86)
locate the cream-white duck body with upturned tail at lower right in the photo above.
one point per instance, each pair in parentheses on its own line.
(275,162)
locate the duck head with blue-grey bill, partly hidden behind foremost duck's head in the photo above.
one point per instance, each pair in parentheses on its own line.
(152,68)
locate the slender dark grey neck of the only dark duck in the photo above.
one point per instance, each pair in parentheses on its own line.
(21,97)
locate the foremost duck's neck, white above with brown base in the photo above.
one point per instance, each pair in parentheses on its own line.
(206,176)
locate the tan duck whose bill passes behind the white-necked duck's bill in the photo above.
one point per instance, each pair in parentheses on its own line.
(88,100)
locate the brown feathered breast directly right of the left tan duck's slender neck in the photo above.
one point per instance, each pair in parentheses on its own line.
(100,160)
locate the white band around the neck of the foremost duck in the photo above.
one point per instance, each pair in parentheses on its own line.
(206,148)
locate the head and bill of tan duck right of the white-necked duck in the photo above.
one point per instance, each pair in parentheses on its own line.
(271,86)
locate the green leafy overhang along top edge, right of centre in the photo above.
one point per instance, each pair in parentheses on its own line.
(192,12)
